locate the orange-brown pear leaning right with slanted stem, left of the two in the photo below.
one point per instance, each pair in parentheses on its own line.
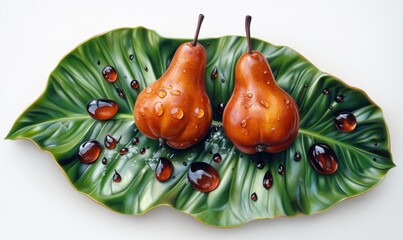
(176,108)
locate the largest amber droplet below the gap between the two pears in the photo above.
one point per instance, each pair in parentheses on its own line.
(203,176)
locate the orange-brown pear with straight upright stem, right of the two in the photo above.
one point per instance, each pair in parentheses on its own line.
(259,116)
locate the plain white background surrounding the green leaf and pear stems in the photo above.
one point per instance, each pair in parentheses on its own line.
(357,41)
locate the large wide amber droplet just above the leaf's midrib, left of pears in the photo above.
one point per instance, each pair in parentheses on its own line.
(102,109)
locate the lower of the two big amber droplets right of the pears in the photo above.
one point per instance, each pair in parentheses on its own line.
(322,158)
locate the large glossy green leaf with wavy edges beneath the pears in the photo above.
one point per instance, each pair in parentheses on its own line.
(58,122)
